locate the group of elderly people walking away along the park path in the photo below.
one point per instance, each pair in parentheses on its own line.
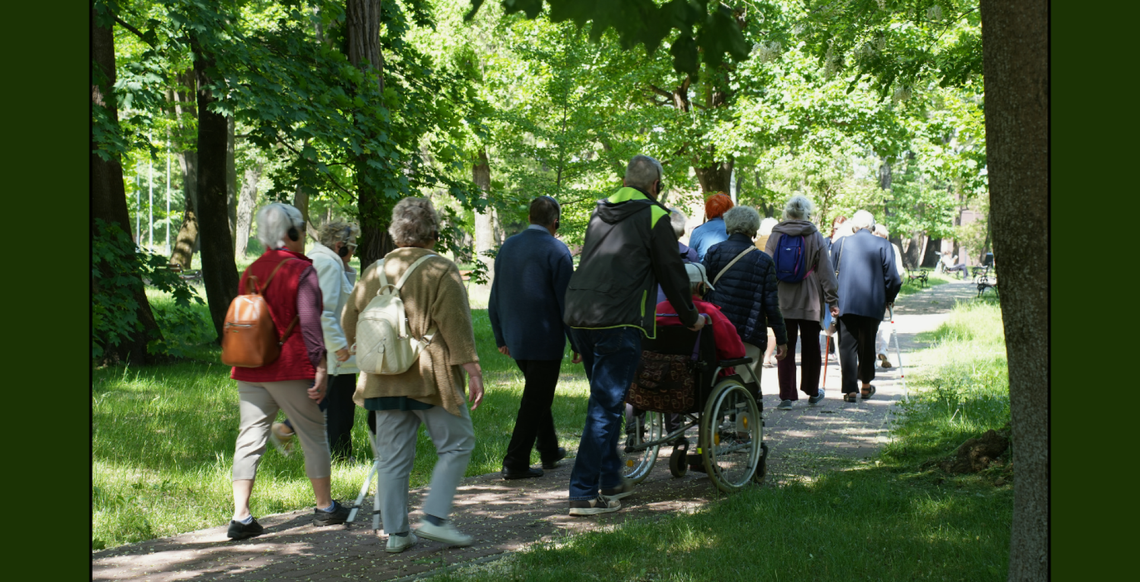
(633,268)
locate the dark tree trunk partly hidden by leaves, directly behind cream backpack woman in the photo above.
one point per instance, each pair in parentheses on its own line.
(363,47)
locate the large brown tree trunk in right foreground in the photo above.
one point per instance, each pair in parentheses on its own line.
(1016,61)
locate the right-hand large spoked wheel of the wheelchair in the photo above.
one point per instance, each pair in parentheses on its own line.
(730,436)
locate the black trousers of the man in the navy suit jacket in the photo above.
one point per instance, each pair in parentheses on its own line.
(534,428)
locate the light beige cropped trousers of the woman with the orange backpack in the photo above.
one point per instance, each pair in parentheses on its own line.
(259,405)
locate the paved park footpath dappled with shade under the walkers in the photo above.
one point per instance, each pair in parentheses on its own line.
(508,517)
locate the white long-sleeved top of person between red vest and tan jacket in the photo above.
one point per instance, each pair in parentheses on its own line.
(337,281)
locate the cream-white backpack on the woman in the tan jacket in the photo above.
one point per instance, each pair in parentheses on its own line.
(384,345)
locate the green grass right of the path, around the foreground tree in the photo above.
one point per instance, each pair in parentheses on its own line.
(886,520)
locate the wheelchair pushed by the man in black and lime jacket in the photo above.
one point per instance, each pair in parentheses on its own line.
(727,415)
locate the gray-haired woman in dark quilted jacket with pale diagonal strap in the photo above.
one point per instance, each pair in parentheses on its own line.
(747,289)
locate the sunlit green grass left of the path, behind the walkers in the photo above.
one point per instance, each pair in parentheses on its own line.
(164,444)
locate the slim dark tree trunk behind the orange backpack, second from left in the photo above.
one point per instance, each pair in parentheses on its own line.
(219,270)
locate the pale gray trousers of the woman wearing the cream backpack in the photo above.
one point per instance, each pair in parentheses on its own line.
(454,438)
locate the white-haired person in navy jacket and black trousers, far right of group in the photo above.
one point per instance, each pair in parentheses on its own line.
(868,283)
